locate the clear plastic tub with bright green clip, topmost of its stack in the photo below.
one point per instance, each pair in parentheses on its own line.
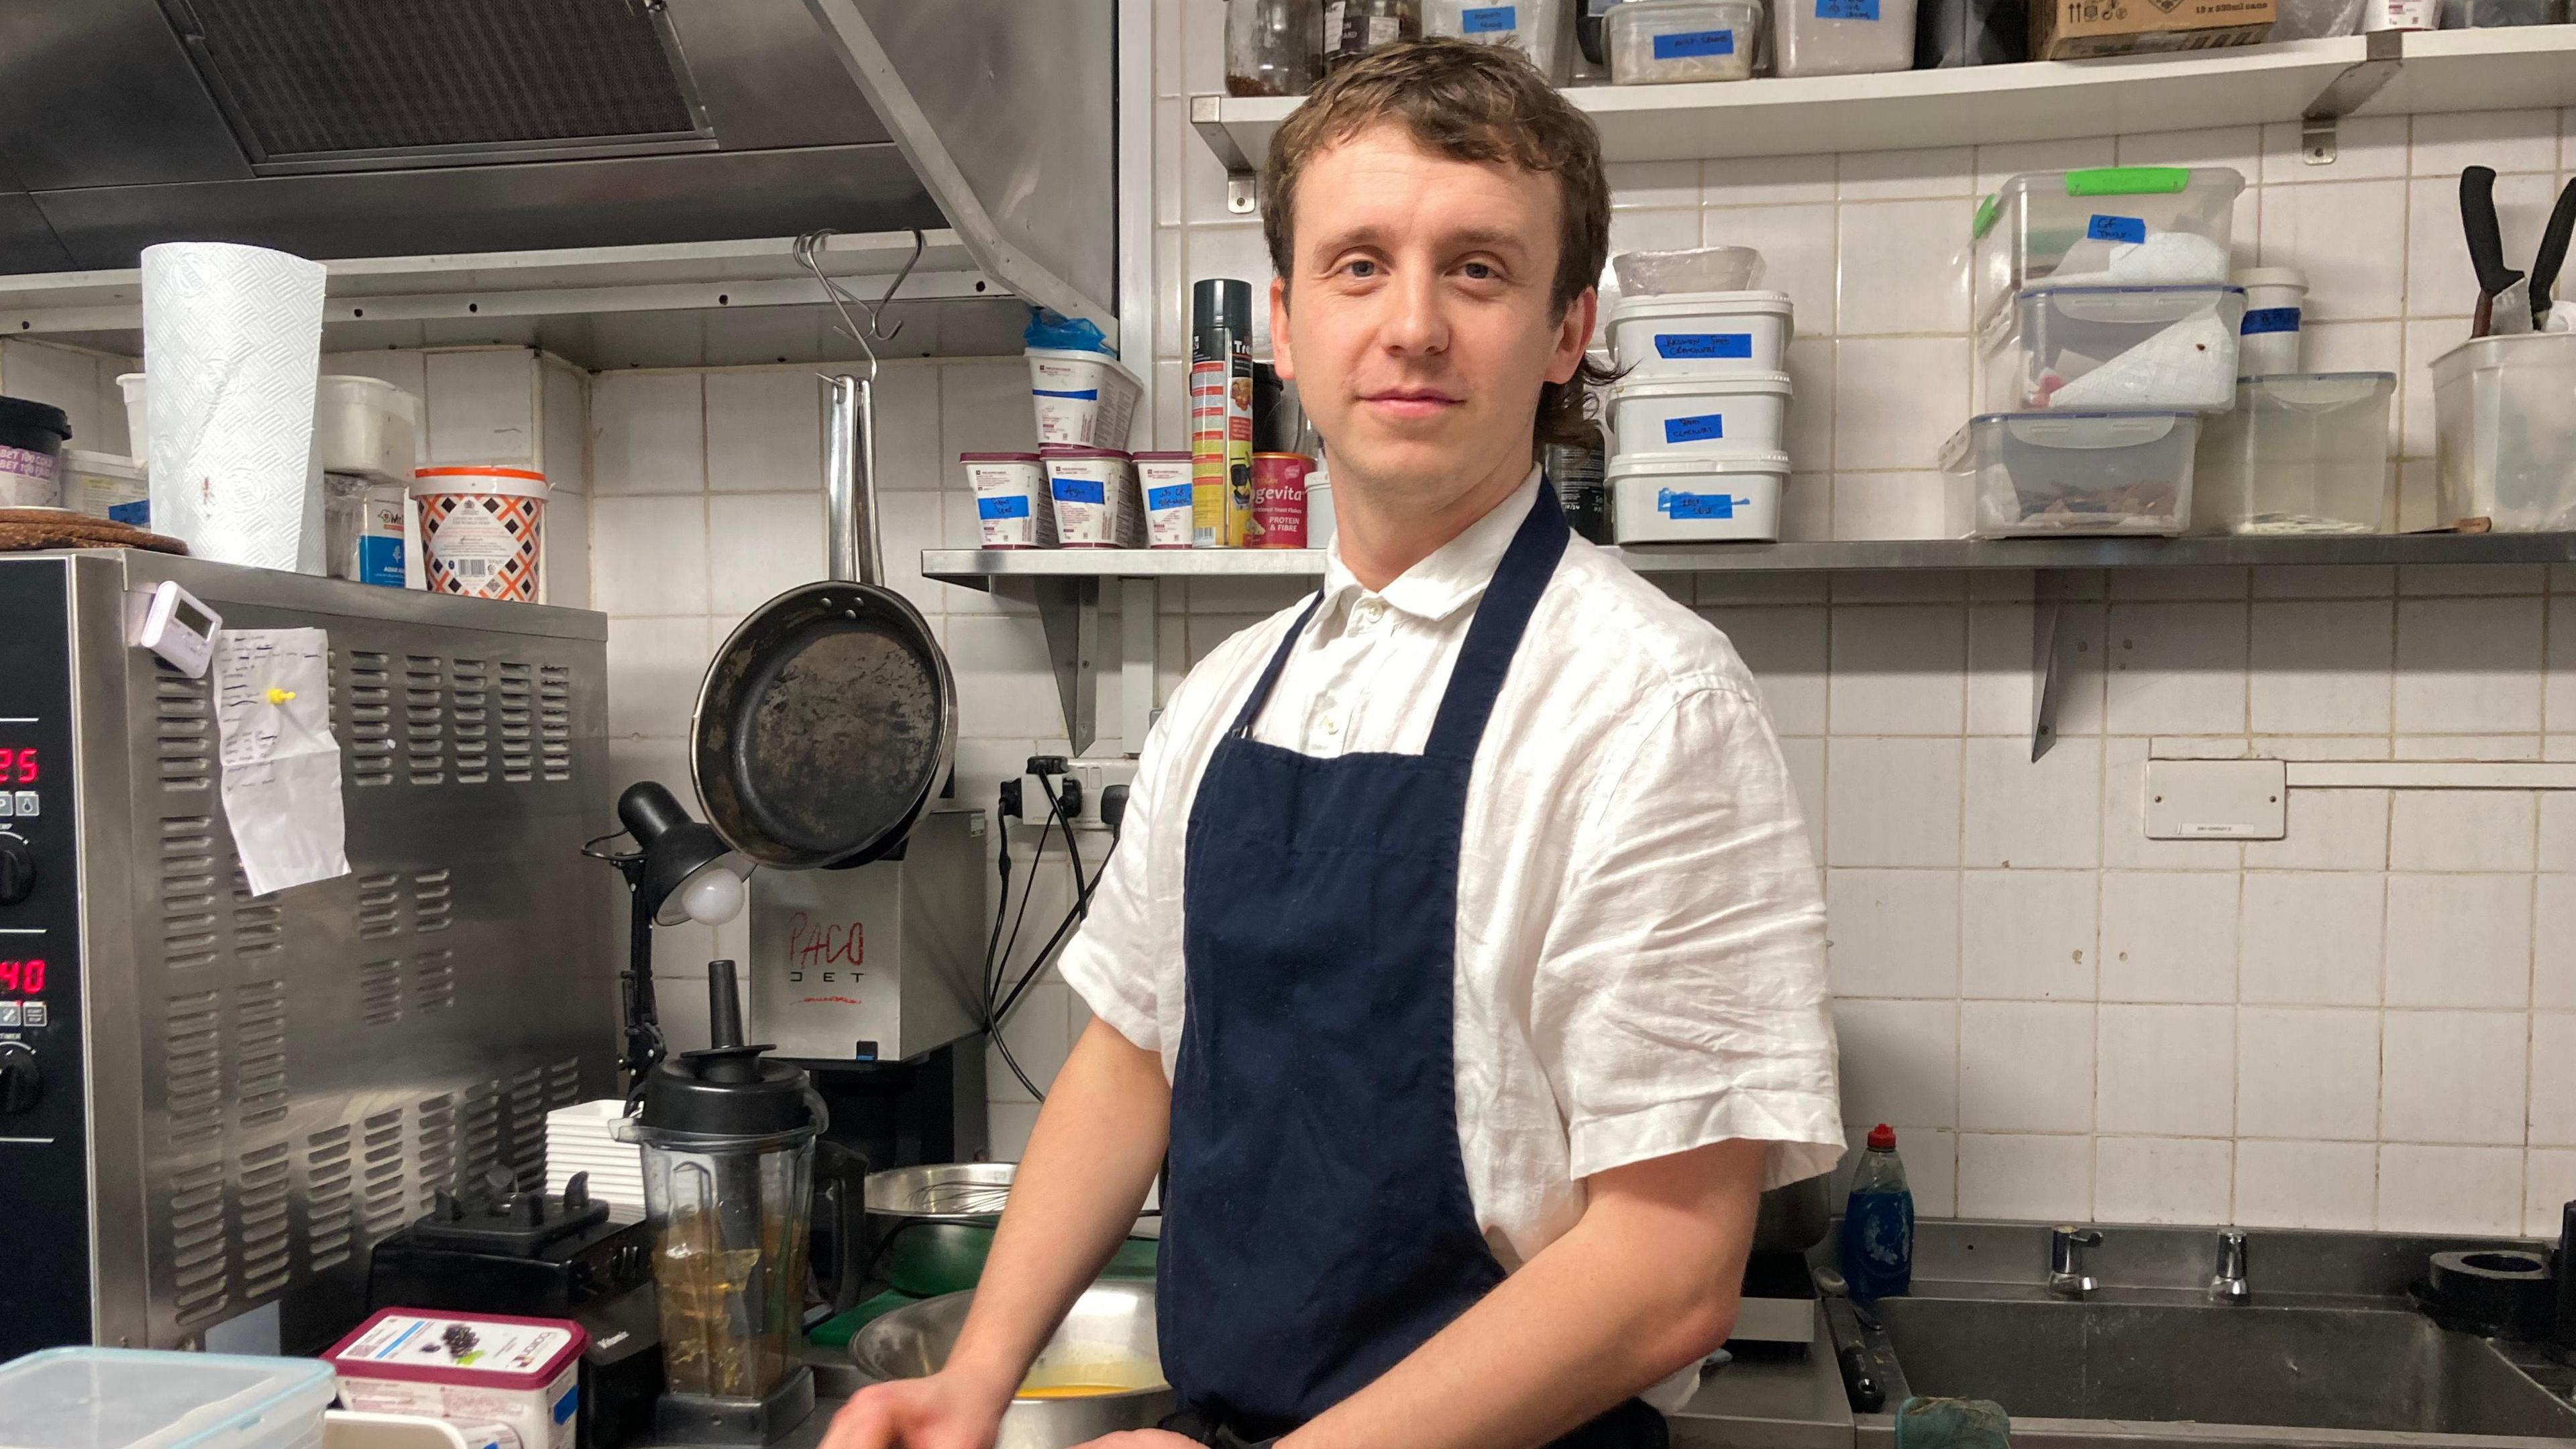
(2111,226)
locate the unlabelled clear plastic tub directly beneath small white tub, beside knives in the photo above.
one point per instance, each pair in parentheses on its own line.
(2299,455)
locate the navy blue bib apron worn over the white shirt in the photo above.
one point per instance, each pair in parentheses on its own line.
(1318,1221)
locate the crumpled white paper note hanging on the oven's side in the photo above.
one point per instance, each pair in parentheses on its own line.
(282,764)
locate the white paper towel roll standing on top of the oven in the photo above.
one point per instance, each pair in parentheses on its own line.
(233,347)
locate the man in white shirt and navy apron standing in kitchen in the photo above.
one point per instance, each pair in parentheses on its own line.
(1464,948)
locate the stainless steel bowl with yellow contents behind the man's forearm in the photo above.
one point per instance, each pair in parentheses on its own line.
(1106,1339)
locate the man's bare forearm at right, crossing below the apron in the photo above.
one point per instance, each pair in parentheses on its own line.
(1642,1288)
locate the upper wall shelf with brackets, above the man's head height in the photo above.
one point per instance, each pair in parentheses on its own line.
(2036,102)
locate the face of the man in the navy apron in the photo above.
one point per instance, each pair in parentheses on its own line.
(1418,321)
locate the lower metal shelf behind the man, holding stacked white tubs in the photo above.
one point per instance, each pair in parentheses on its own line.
(978,569)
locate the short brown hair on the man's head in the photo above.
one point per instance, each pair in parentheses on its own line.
(1480,104)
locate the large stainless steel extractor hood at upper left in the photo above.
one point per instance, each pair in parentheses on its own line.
(403,128)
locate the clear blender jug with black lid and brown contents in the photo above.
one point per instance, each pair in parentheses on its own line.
(728,1146)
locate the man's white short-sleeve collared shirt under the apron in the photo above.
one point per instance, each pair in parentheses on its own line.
(1640,927)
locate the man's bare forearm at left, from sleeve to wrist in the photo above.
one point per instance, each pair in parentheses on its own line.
(1075,1198)
